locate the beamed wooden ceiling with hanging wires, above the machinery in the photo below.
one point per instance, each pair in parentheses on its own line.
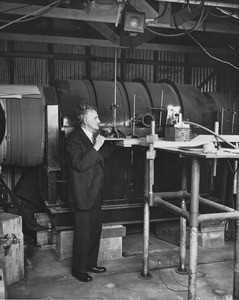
(172,23)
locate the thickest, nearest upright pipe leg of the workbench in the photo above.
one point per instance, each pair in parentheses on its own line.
(195,181)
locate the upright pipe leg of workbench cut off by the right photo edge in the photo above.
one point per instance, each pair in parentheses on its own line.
(236,248)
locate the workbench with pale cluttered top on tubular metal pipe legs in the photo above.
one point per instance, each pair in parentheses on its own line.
(195,151)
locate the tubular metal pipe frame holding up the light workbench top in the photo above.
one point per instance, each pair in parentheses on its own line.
(193,216)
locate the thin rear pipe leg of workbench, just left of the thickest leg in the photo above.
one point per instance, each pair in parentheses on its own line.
(183,228)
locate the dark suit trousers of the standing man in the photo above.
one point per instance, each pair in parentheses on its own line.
(87,233)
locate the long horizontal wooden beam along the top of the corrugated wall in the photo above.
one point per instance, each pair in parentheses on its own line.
(103,43)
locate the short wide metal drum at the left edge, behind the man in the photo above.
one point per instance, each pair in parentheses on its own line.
(24,137)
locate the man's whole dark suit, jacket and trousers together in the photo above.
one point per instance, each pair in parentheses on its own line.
(86,176)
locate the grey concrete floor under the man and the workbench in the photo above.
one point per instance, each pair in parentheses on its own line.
(46,277)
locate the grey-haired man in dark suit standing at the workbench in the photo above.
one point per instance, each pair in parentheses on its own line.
(85,156)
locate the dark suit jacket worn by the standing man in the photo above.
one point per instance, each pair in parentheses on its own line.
(86,174)
